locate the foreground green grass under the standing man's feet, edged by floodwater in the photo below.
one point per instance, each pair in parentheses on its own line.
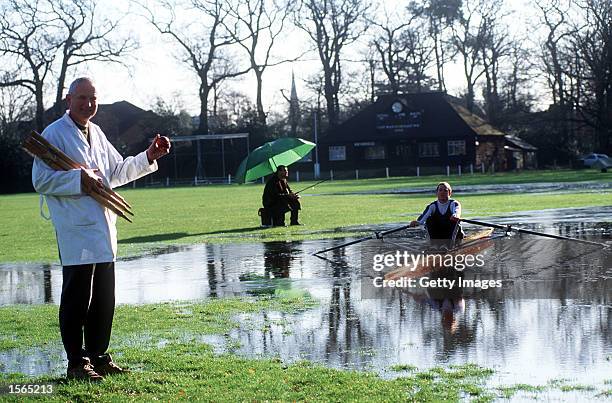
(161,343)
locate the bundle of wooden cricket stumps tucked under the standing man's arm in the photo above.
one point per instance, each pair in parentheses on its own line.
(37,146)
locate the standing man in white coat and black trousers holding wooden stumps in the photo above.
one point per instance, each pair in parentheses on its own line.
(85,230)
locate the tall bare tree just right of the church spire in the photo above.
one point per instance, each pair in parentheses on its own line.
(331,25)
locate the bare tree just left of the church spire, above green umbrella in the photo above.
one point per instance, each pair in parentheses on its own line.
(257,25)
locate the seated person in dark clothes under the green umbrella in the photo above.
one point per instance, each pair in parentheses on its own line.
(278,198)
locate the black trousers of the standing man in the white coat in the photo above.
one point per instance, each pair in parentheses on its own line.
(86,309)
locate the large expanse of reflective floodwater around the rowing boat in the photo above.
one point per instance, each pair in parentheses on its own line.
(549,324)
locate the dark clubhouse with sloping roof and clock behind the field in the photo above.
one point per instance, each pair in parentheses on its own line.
(409,130)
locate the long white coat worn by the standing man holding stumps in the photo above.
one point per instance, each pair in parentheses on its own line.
(85,230)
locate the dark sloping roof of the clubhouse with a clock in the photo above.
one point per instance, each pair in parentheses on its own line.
(420,116)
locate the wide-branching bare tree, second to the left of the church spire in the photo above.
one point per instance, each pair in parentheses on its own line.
(203,49)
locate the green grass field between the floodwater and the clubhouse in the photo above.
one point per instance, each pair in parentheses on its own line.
(189,215)
